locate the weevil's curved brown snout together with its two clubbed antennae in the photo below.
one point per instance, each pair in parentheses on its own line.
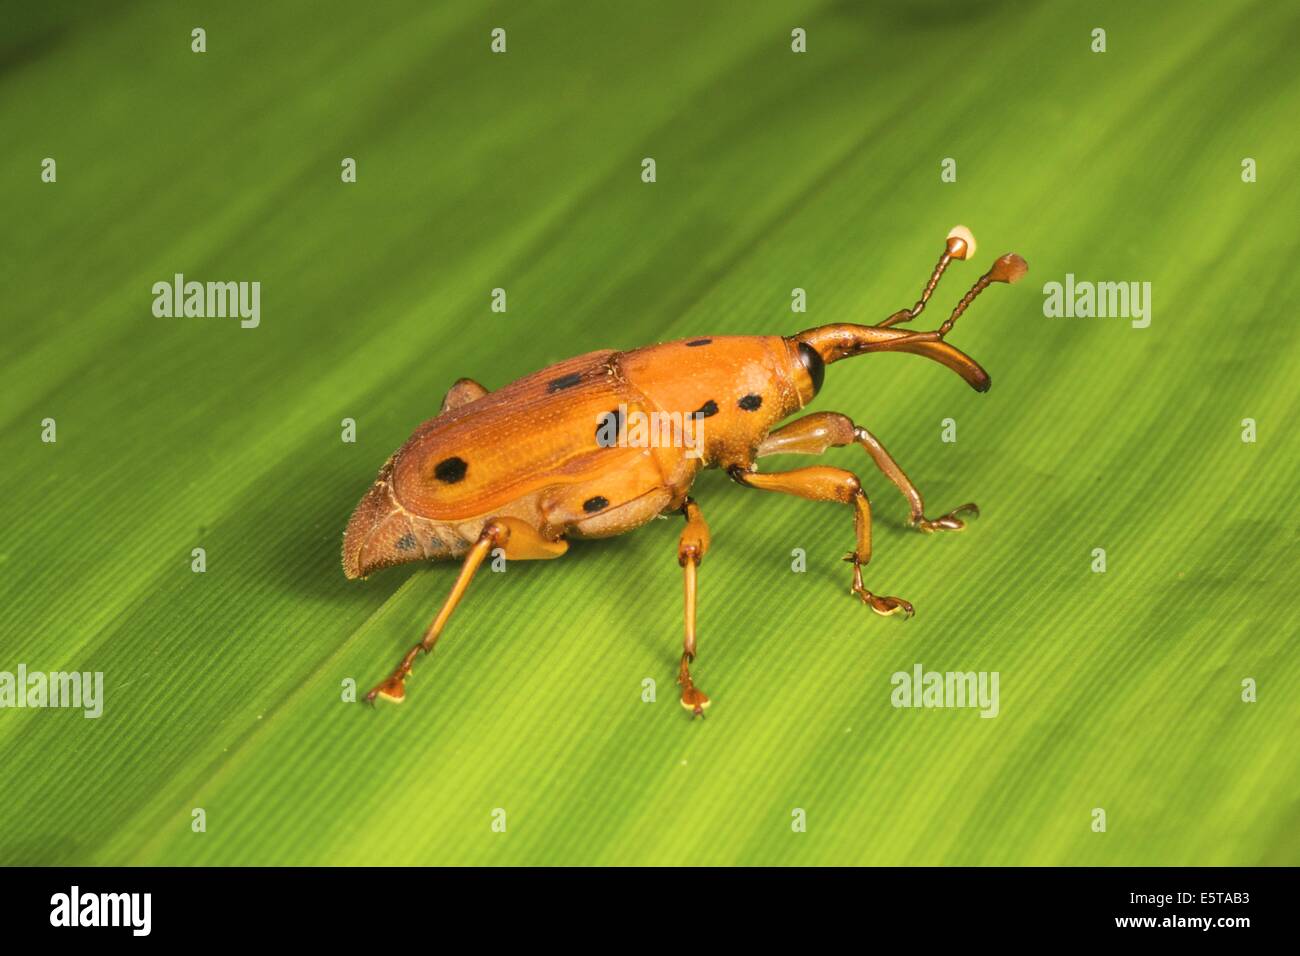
(844,340)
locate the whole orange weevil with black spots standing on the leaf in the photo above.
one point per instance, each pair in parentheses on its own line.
(530,466)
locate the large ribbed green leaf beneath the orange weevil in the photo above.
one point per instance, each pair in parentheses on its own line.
(821,171)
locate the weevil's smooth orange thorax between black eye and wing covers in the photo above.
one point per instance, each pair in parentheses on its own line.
(727,392)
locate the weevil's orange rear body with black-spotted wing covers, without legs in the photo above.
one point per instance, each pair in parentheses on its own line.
(535,449)
